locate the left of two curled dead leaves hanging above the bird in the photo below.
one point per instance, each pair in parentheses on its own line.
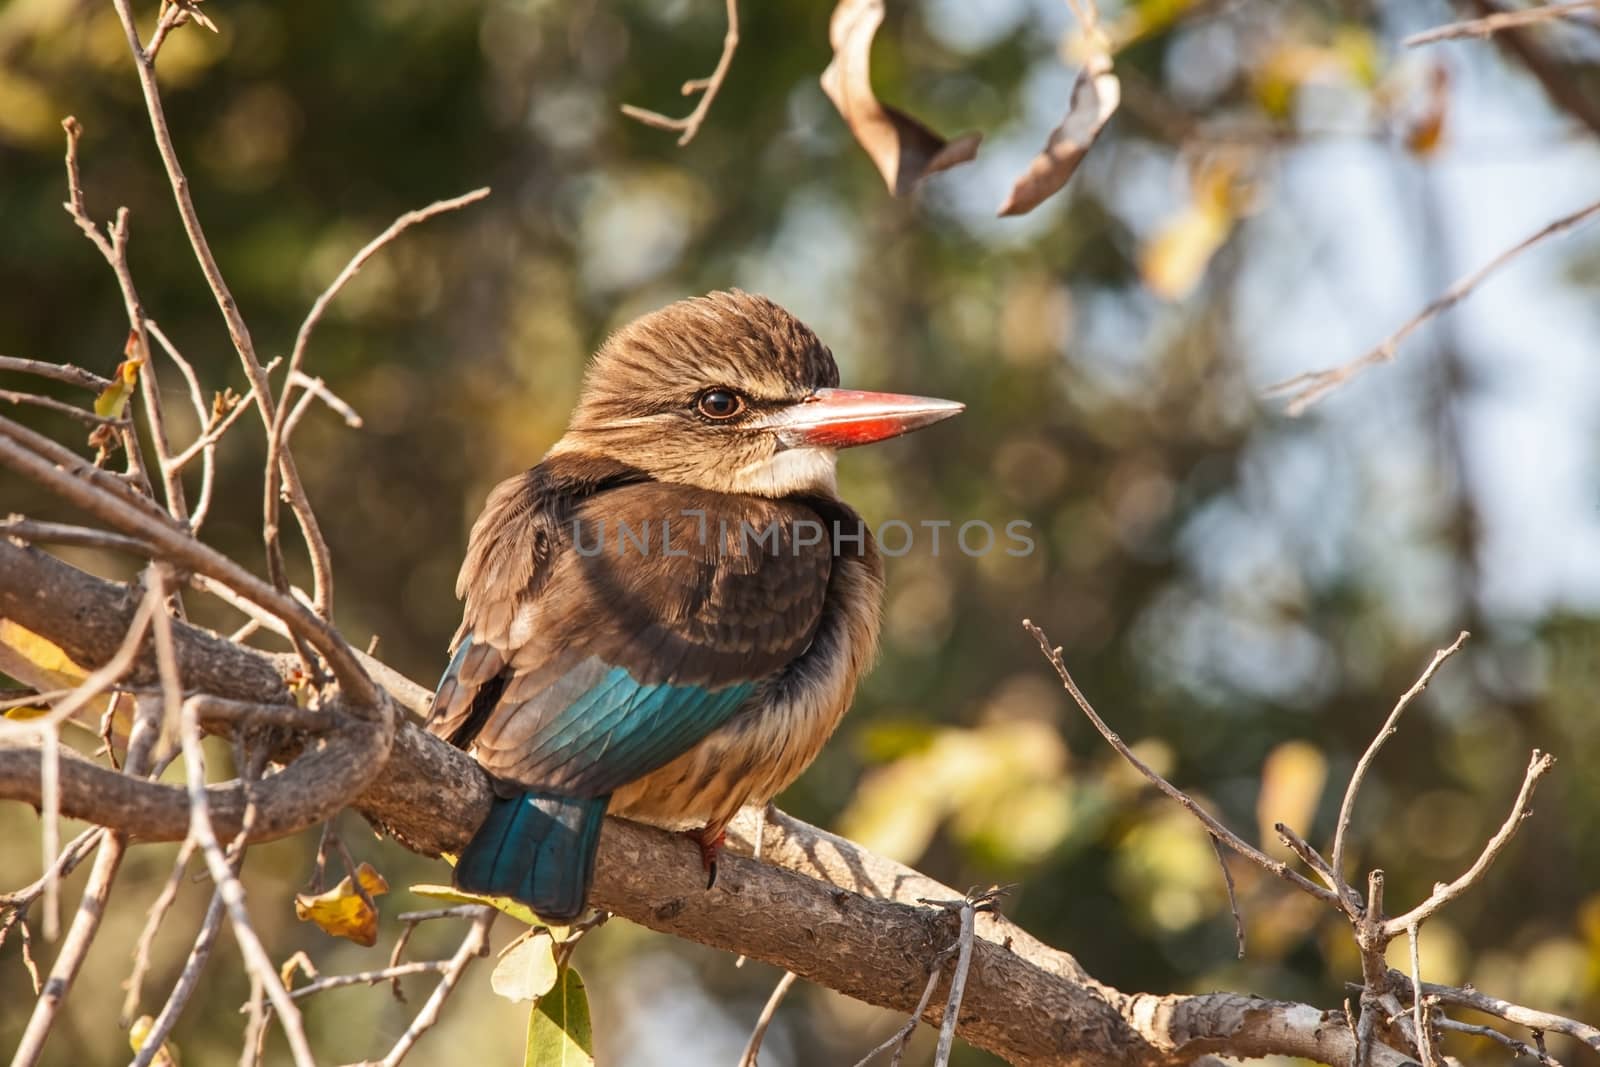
(903,150)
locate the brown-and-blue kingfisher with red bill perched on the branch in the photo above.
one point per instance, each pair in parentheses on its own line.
(668,617)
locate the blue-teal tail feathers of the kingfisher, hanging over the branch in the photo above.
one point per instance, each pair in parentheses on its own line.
(537,849)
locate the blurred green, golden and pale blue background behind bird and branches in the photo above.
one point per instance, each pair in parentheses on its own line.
(1241,593)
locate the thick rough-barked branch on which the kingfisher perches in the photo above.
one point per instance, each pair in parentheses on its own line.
(815,905)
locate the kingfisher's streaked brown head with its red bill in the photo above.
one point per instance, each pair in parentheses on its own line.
(730,393)
